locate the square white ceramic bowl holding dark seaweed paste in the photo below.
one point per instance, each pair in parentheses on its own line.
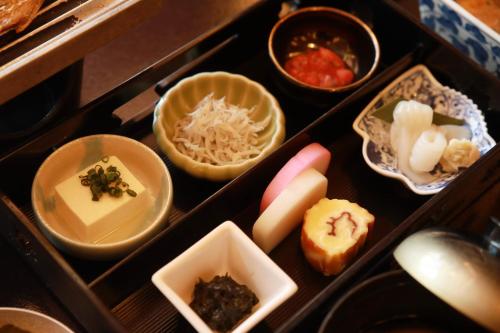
(226,249)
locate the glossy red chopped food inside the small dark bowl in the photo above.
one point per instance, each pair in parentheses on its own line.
(321,68)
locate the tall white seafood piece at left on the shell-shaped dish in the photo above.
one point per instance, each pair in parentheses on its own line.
(411,118)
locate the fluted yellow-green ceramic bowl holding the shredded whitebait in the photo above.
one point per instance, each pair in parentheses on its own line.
(237,90)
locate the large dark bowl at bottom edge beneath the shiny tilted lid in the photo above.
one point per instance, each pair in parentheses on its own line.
(394,302)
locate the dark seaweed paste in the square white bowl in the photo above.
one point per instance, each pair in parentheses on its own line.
(222,302)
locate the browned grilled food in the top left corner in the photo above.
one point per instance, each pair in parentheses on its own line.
(18,14)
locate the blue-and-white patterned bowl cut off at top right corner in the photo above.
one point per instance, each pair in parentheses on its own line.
(467,33)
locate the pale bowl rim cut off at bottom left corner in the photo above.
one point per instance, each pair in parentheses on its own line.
(31,321)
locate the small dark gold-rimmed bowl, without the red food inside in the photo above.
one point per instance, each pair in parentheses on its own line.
(311,27)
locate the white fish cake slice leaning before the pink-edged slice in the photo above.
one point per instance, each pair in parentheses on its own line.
(287,211)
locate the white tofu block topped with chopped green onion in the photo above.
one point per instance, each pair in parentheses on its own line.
(93,220)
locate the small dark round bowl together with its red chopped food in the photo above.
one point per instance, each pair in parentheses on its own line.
(323,48)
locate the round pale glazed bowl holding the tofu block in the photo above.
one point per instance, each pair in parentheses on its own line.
(71,158)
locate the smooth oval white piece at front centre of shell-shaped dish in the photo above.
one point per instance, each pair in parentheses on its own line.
(427,150)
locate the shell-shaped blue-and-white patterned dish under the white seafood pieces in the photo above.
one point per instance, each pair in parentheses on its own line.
(417,84)
